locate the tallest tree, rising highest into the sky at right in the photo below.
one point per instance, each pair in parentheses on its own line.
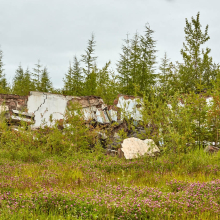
(197,70)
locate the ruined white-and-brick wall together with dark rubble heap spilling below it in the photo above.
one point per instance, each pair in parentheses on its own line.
(41,109)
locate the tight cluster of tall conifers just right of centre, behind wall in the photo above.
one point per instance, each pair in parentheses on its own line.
(136,66)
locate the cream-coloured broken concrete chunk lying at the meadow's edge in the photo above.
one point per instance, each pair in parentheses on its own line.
(134,147)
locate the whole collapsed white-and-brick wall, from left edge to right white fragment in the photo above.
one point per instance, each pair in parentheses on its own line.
(46,108)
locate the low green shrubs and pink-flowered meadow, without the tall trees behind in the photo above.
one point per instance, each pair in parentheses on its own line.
(54,173)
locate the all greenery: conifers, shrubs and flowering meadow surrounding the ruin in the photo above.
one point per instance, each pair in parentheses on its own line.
(61,171)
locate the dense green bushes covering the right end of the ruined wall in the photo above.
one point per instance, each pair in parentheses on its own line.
(182,123)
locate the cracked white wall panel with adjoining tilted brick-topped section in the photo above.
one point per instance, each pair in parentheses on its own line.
(47,106)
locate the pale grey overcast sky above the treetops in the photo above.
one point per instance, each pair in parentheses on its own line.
(53,31)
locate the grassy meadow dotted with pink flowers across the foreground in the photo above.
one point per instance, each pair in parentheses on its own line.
(95,186)
